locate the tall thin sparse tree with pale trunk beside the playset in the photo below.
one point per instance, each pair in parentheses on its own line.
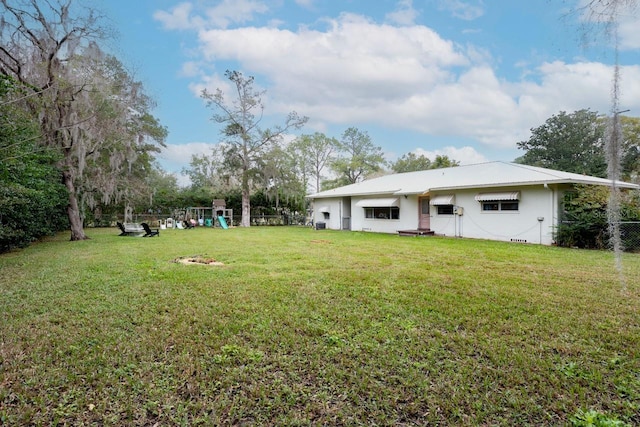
(247,141)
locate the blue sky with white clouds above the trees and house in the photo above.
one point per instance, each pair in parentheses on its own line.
(465,78)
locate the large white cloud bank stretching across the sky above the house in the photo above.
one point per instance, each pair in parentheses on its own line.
(356,72)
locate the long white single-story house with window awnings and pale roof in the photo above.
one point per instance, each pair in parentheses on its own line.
(494,200)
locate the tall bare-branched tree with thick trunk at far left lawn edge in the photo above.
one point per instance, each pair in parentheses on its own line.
(38,49)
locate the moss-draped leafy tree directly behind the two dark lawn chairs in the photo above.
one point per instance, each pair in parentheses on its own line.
(119,138)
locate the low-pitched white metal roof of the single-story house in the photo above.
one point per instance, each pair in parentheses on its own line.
(481,175)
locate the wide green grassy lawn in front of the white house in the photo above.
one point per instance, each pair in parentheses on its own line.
(304,327)
